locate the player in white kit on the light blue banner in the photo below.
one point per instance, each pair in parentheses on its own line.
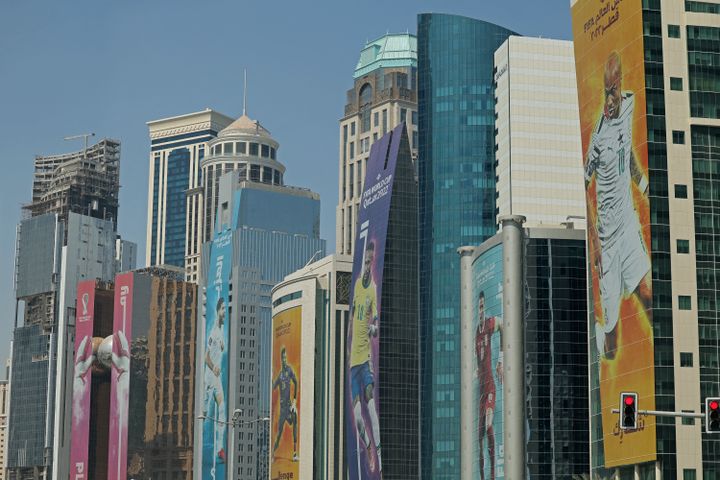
(214,351)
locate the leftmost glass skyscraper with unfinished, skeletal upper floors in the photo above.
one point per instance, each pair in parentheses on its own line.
(70,236)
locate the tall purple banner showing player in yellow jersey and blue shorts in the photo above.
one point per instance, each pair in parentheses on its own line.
(362,405)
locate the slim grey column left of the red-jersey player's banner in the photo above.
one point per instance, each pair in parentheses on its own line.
(467,362)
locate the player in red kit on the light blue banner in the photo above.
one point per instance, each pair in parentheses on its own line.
(483,351)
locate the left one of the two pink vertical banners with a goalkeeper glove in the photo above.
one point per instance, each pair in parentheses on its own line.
(82,380)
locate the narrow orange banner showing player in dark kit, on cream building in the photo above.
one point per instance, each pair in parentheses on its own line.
(285,401)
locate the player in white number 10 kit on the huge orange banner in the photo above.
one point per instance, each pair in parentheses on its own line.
(616,242)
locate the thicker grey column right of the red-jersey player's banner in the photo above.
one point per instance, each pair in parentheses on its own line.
(513,344)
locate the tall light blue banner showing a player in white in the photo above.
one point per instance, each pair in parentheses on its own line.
(215,359)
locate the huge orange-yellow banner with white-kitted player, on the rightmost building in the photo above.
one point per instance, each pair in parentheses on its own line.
(609,56)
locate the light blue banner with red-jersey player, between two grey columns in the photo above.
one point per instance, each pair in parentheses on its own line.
(487,387)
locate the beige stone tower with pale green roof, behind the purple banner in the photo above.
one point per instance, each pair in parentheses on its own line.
(384,94)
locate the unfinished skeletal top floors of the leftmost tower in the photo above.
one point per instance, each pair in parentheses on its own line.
(85,182)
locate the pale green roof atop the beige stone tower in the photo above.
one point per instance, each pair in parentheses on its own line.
(391,50)
